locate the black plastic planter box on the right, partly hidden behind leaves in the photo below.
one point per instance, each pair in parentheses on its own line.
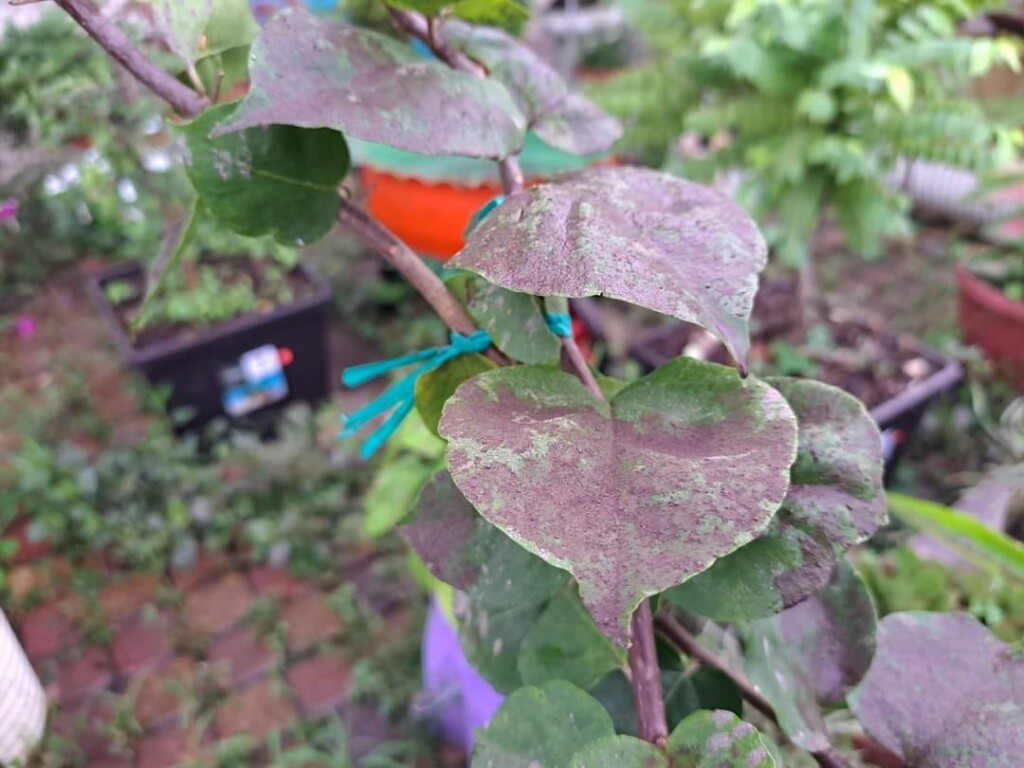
(899,418)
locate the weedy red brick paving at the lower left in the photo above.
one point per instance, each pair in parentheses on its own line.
(150,672)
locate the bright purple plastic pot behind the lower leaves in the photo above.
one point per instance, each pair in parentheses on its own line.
(457,698)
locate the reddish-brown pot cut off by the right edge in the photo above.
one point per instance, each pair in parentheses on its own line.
(994,322)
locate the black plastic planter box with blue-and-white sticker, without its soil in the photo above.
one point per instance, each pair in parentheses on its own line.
(241,370)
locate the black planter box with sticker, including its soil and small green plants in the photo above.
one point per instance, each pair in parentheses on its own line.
(231,337)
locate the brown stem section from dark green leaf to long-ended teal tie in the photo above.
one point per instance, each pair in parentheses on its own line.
(403,259)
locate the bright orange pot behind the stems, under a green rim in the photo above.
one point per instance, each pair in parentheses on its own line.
(431,218)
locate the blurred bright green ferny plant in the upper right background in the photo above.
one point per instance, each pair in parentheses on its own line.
(816,103)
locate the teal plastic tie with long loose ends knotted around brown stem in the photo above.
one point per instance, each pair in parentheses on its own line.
(402,396)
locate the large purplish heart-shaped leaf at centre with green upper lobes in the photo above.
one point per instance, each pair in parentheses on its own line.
(633,496)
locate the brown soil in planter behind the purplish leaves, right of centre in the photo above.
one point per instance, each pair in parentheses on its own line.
(857,354)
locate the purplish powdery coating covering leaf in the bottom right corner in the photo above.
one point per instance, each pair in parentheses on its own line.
(944,693)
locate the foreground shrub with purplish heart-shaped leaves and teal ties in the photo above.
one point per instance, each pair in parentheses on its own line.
(591,526)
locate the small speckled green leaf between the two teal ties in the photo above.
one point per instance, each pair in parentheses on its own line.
(515,321)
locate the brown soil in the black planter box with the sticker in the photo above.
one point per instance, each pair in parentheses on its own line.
(231,272)
